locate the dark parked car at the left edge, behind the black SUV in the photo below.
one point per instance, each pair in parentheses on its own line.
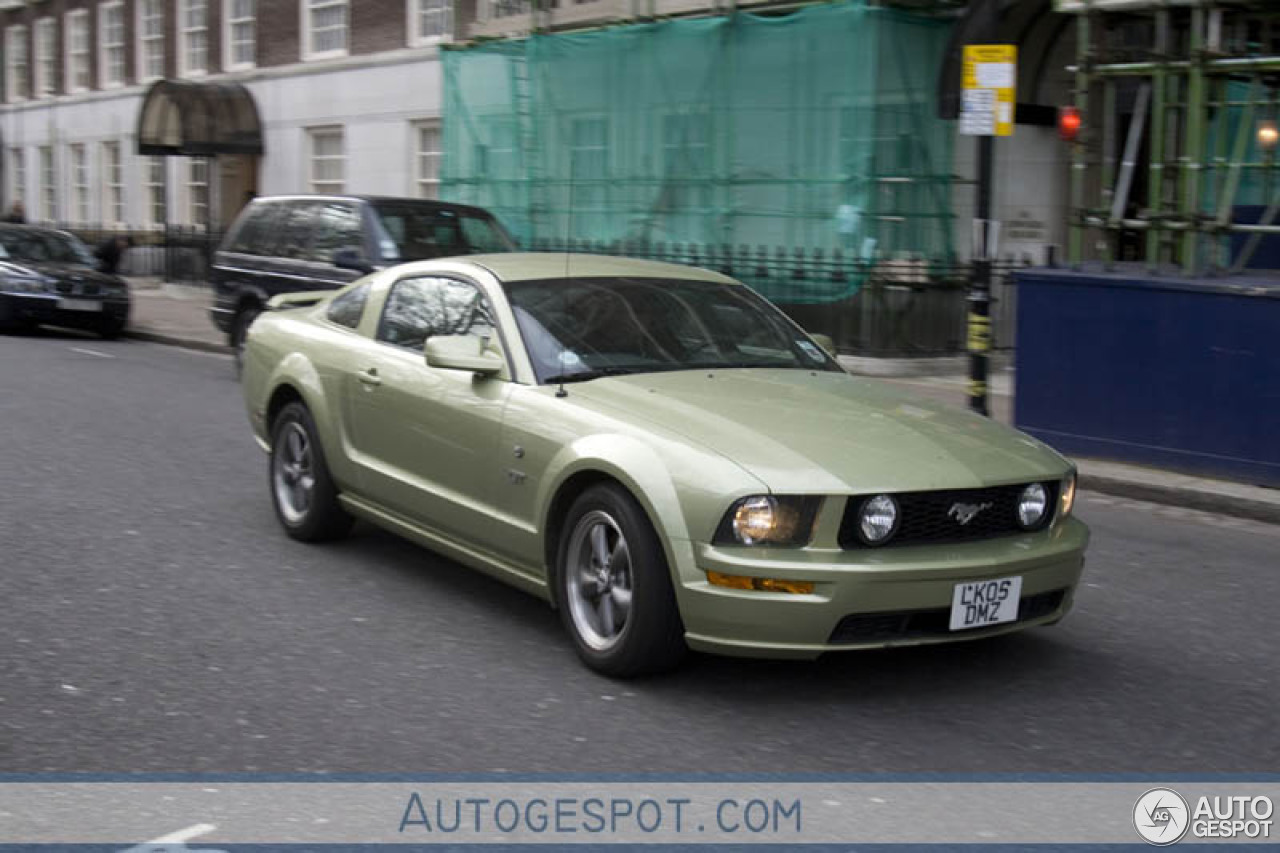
(49,276)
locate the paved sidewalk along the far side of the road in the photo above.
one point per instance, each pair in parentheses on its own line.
(177,316)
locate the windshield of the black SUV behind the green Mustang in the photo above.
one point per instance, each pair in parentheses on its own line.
(418,231)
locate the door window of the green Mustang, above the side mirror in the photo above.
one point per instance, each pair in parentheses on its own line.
(427,307)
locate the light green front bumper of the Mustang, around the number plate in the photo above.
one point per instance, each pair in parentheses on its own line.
(870,599)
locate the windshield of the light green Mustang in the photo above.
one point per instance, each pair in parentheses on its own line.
(583,329)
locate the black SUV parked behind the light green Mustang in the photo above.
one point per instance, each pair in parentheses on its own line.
(289,244)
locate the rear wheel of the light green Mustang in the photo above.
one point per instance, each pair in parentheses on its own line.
(303,491)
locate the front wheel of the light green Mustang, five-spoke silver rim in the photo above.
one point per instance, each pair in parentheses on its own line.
(615,590)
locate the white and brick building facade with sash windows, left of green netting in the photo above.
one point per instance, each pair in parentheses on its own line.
(349,95)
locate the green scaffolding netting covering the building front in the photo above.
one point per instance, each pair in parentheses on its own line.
(811,131)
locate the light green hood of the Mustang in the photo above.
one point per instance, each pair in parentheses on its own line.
(803,432)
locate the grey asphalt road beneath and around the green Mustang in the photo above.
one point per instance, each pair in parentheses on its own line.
(154,618)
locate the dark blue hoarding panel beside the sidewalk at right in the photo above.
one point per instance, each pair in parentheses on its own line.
(1168,372)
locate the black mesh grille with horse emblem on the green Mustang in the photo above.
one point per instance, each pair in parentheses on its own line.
(932,518)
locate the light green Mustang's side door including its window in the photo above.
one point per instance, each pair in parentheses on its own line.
(427,437)
